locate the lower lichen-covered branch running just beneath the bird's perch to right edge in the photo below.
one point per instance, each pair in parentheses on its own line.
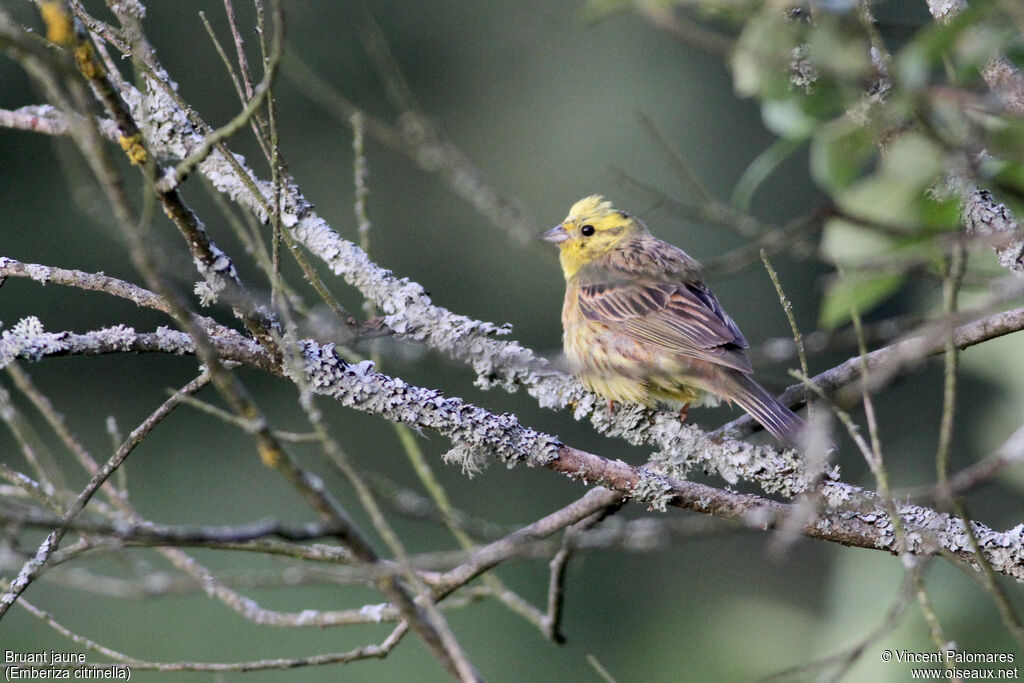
(852,517)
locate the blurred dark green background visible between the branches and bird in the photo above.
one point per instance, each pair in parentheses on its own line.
(546,102)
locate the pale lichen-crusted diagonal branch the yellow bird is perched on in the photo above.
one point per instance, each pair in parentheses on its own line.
(409,312)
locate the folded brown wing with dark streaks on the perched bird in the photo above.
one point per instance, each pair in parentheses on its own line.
(679,318)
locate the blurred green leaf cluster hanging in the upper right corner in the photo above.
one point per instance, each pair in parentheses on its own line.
(885,127)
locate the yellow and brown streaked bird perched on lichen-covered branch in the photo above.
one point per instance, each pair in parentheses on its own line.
(641,326)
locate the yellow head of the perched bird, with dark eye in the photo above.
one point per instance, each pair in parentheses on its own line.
(592,230)
